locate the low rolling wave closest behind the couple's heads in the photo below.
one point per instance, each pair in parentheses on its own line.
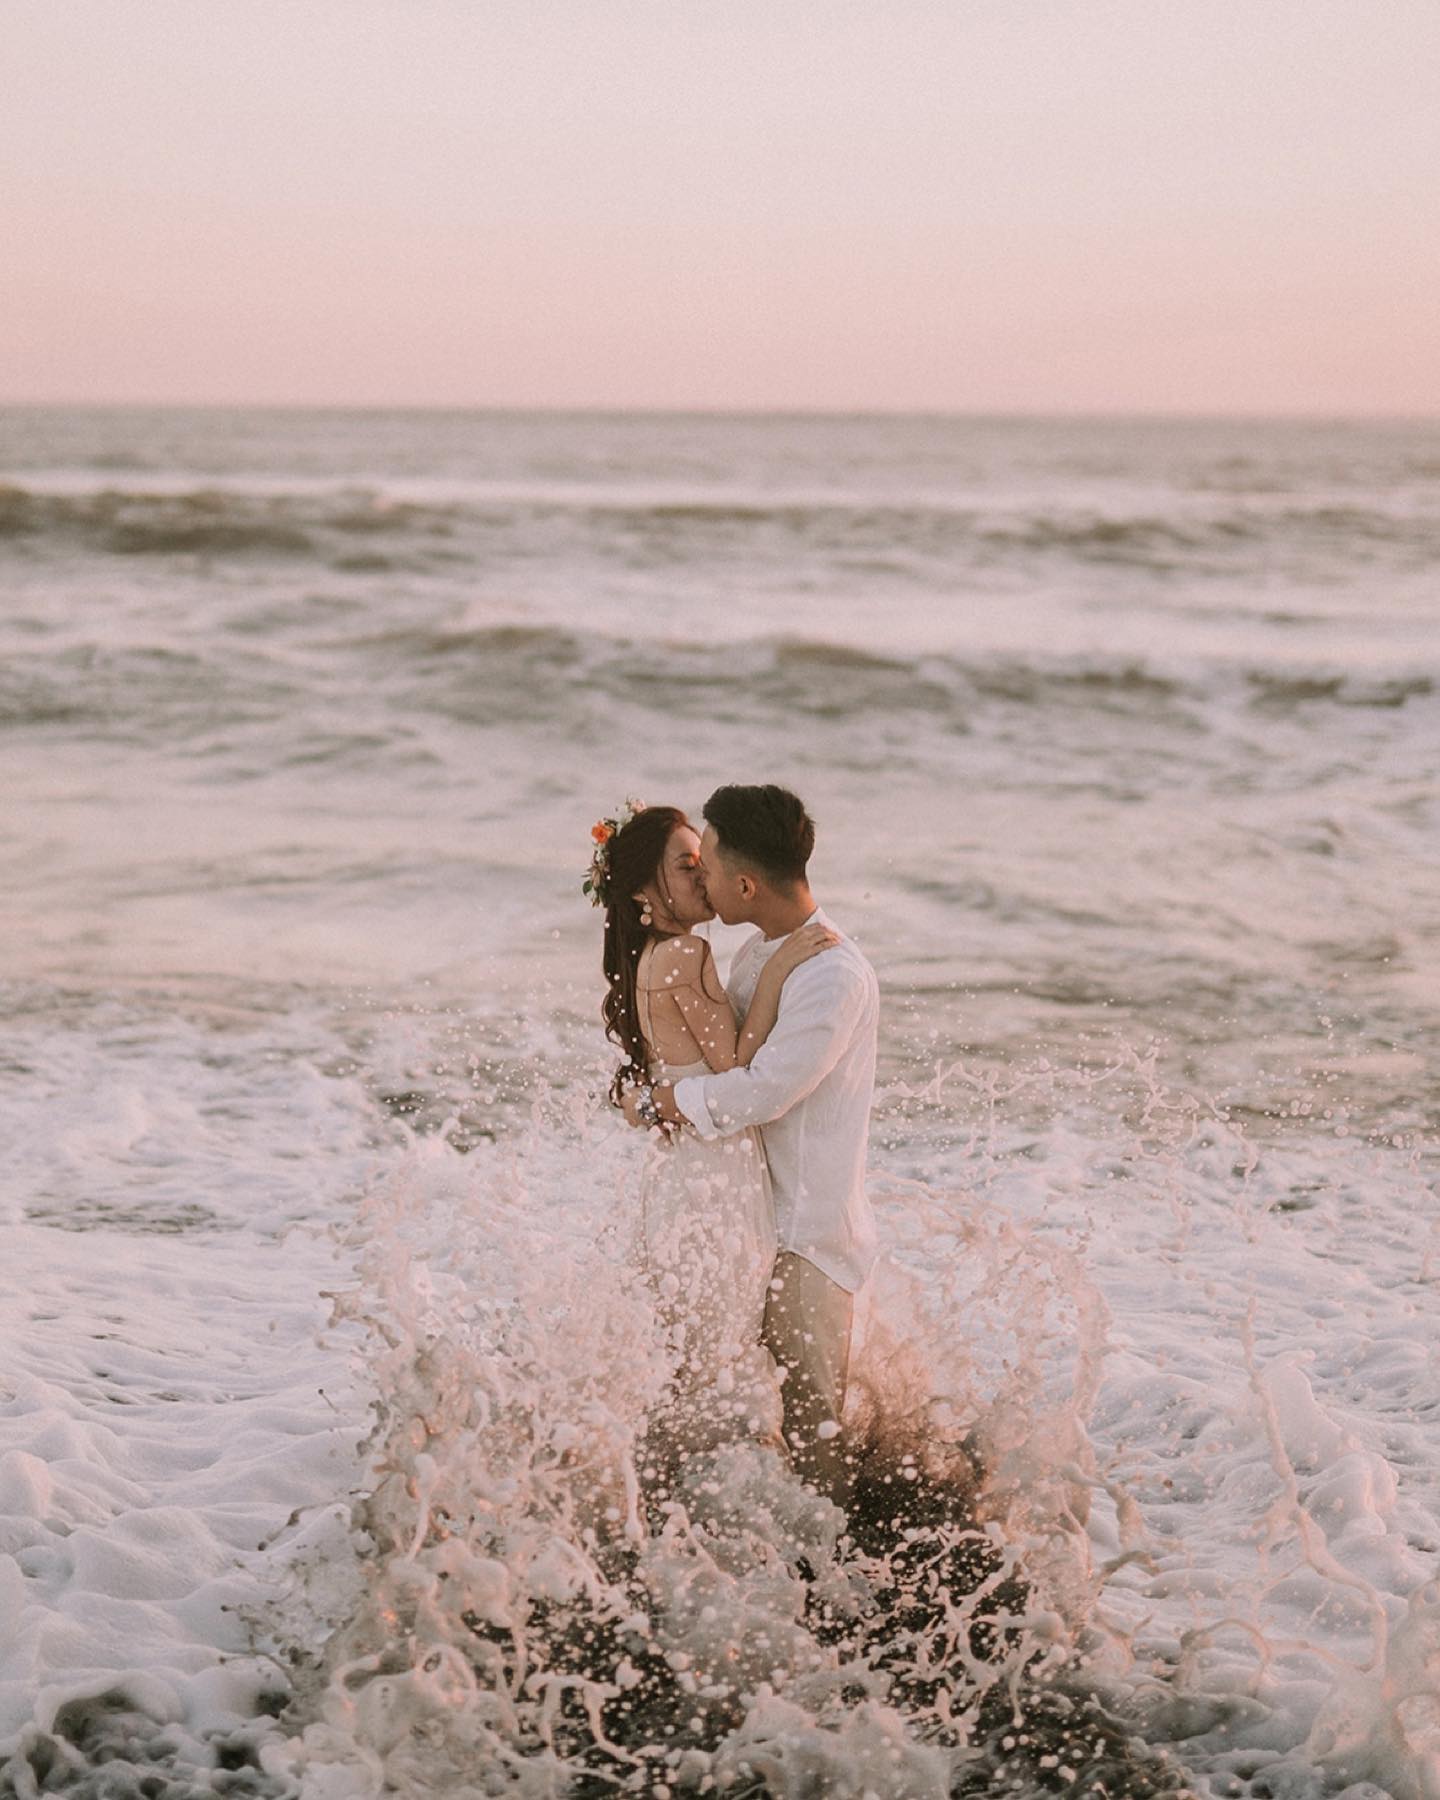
(381,687)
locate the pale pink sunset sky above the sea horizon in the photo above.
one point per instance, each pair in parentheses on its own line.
(1023,206)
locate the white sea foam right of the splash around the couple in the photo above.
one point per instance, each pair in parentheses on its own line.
(1263,1421)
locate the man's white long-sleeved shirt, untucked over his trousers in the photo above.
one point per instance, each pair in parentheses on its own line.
(809,1088)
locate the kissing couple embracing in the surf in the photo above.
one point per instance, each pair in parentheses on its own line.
(757,1232)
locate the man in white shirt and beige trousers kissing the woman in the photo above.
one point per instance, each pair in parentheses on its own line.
(809,1088)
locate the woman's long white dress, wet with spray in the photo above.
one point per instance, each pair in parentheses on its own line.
(708,1236)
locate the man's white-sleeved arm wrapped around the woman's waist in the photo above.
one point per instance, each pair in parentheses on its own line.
(818,1014)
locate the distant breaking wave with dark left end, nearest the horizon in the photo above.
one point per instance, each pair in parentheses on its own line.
(1210,535)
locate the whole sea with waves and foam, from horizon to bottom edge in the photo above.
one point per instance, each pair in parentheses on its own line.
(323,1369)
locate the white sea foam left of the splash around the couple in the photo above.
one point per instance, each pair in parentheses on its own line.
(166,1396)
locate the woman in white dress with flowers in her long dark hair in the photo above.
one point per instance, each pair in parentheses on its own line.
(708,1236)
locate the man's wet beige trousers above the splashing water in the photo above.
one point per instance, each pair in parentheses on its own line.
(807,1331)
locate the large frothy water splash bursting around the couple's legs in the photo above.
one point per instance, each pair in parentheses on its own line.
(530,1619)
